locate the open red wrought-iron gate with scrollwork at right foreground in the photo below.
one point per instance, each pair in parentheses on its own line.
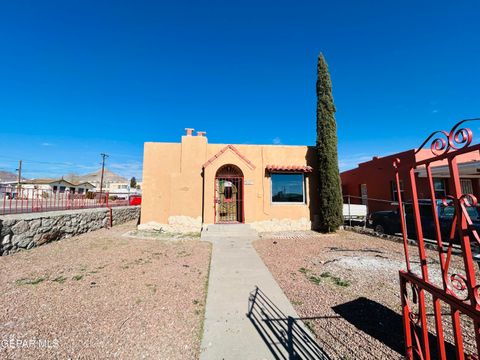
(454,297)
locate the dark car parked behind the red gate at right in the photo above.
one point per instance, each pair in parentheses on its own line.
(388,222)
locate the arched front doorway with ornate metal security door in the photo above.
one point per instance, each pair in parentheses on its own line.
(229,195)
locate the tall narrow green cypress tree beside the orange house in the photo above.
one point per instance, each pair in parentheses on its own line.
(330,193)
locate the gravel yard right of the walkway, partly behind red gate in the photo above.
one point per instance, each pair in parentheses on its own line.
(345,286)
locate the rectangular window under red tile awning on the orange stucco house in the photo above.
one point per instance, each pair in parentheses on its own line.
(288,188)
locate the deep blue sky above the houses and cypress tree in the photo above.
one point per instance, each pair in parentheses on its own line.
(81,78)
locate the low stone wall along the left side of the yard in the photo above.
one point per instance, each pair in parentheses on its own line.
(24,231)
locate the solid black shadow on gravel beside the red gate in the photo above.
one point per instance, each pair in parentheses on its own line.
(383,324)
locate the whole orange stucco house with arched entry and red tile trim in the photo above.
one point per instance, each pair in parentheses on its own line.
(193,183)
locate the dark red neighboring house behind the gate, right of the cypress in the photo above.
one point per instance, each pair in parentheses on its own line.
(373,181)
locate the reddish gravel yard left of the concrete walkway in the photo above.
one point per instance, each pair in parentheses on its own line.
(103,295)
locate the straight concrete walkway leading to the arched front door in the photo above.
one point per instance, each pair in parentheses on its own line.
(270,332)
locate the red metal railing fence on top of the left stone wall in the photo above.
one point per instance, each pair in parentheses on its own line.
(15,200)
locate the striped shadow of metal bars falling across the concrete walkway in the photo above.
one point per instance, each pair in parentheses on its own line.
(285,336)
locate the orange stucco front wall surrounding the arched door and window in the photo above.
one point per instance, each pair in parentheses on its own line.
(173,185)
